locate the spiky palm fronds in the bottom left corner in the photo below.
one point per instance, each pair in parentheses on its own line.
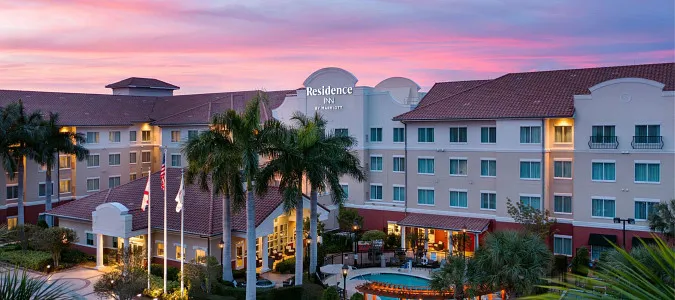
(18,285)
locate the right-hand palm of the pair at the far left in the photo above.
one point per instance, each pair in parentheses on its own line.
(53,142)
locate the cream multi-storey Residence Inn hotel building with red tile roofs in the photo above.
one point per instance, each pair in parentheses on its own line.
(588,145)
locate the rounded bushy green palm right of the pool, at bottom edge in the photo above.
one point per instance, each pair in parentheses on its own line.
(512,261)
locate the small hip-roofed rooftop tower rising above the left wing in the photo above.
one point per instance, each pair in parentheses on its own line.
(136,86)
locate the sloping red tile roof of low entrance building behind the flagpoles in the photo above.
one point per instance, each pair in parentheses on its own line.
(203,214)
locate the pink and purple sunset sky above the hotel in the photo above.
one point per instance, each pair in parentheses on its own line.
(215,46)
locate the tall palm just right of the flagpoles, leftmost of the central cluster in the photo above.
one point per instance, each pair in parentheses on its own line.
(213,157)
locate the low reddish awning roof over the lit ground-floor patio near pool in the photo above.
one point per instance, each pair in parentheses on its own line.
(445,222)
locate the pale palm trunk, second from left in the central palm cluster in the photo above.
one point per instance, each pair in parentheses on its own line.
(250,243)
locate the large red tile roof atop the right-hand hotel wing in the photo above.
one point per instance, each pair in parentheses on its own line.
(546,94)
